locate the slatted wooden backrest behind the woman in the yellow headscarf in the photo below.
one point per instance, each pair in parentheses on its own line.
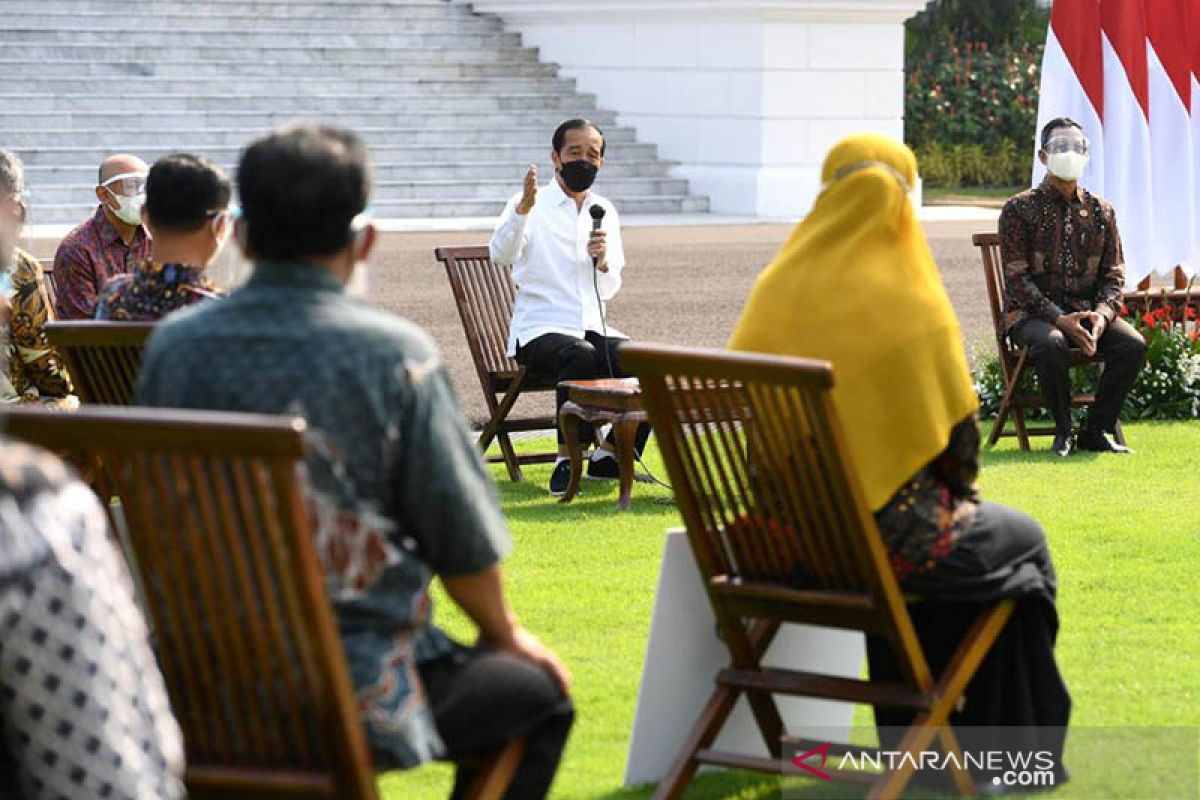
(758,460)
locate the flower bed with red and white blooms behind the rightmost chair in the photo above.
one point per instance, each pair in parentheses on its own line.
(1168,388)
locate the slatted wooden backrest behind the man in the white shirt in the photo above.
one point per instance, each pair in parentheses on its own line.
(484,294)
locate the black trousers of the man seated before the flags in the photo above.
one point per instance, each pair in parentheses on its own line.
(1123,350)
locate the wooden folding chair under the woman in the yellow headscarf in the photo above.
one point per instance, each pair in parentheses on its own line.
(781,534)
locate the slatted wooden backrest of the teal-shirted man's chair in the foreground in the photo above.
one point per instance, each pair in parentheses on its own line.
(243,627)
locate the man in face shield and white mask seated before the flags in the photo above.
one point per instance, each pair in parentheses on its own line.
(1065,274)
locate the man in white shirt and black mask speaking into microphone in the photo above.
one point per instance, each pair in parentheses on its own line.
(566,273)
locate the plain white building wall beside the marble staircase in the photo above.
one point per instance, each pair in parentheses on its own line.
(747,95)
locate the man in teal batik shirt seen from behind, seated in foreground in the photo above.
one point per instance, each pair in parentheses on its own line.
(399,491)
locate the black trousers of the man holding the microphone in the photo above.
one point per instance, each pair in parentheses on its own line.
(567,358)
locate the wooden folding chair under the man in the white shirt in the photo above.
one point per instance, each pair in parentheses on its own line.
(484,294)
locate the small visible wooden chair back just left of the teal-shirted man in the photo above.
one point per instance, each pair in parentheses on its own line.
(103,358)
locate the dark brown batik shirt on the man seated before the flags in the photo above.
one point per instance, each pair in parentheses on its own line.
(1060,255)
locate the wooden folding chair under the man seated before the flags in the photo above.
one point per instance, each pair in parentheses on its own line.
(1015,360)
